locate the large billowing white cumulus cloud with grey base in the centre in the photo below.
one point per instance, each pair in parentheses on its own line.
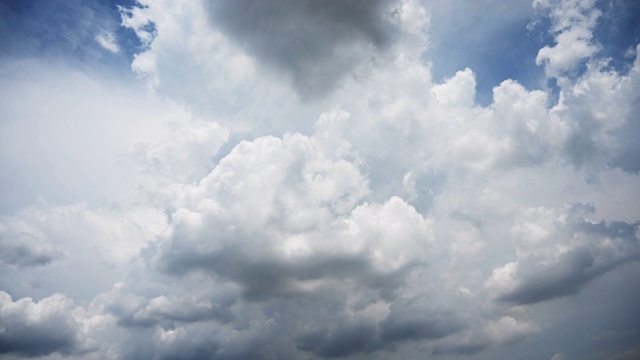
(304,215)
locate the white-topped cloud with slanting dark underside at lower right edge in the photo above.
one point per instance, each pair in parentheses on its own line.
(559,253)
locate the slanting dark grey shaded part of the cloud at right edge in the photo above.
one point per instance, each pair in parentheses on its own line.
(595,248)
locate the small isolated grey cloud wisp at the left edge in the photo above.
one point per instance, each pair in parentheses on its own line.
(24,250)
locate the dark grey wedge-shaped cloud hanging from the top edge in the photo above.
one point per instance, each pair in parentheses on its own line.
(315,42)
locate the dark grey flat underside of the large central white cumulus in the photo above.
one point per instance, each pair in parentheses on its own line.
(262,277)
